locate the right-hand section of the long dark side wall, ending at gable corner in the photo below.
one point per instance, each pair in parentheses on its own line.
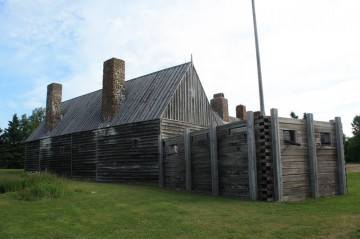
(128,153)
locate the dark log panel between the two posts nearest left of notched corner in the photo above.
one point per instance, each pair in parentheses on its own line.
(233,160)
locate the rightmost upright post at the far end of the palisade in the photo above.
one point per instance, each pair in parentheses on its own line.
(340,155)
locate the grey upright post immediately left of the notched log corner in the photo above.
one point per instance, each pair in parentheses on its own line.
(251,155)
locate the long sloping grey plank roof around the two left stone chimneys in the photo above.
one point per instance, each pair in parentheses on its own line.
(146,98)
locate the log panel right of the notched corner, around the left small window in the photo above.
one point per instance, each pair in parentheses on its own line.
(294,161)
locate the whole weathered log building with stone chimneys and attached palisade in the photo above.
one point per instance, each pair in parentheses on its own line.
(161,129)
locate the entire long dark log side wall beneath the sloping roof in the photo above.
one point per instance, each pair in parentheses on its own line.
(126,153)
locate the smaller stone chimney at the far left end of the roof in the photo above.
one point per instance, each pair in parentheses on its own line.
(53,106)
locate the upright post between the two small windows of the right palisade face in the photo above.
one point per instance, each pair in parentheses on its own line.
(312,156)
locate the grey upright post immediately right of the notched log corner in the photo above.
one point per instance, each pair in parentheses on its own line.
(276,153)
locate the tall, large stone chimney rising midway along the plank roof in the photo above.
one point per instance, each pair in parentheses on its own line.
(113,93)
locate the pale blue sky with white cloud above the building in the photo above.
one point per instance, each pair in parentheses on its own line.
(310,52)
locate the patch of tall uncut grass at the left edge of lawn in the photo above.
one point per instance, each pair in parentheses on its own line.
(33,186)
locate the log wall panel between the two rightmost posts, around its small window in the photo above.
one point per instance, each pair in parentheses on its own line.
(327,163)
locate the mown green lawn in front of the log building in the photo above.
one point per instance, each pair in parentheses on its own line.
(99,210)
